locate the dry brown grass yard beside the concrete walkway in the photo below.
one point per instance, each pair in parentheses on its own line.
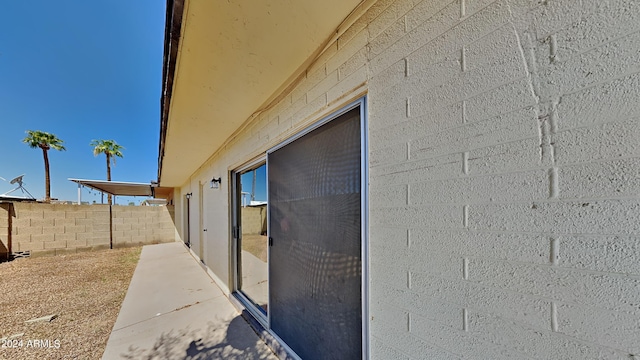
(85,291)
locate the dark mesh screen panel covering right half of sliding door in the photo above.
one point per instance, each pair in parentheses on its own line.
(315,272)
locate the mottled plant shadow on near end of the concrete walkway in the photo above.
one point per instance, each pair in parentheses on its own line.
(237,341)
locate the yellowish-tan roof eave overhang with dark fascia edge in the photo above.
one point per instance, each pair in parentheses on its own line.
(226,62)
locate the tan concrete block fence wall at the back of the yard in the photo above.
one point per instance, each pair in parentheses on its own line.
(53,229)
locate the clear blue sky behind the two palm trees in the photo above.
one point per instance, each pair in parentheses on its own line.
(82,70)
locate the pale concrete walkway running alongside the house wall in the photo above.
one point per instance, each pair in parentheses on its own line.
(174,310)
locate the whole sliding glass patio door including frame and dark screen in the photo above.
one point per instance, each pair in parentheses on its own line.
(299,229)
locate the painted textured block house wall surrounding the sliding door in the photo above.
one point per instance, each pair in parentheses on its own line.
(504,143)
